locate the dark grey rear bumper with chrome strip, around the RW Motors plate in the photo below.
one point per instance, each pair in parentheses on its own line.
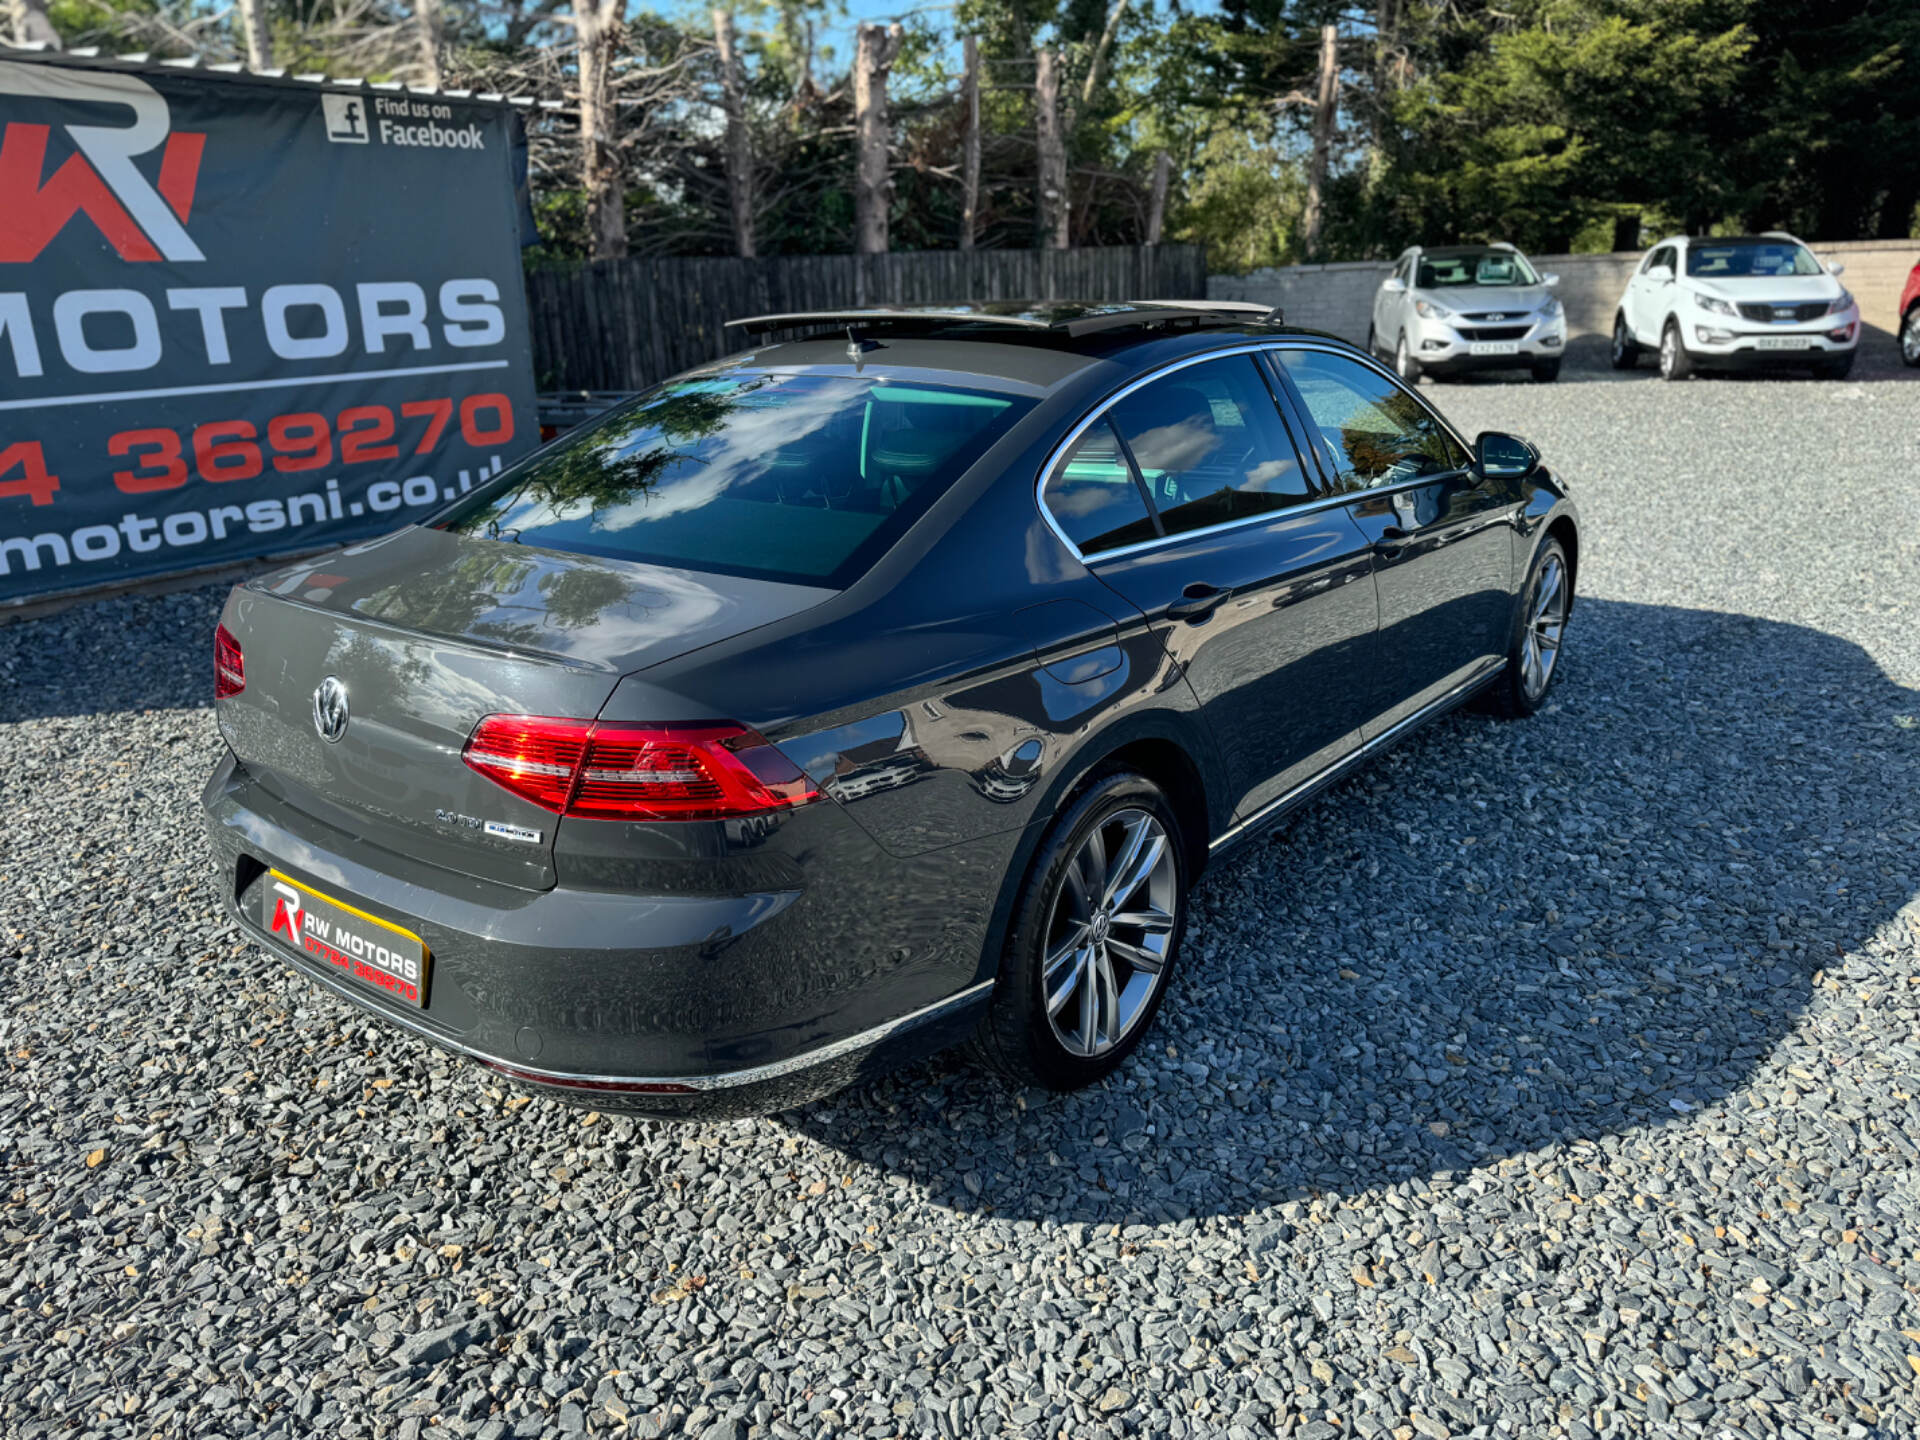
(671,1005)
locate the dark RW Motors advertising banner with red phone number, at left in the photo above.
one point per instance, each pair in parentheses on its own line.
(245,318)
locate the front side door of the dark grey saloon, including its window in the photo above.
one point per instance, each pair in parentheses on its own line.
(1441,535)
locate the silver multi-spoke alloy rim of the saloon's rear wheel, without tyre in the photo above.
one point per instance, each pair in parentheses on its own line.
(1109,932)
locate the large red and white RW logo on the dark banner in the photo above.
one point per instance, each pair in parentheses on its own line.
(141,218)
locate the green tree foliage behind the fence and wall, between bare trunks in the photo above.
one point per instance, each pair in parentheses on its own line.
(1550,124)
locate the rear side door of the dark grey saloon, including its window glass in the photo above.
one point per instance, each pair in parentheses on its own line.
(1191,500)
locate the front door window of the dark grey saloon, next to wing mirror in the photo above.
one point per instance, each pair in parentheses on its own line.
(1372,431)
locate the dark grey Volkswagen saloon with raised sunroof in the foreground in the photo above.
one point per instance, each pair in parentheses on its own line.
(863,694)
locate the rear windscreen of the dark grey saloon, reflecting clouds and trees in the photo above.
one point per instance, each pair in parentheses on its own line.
(805,479)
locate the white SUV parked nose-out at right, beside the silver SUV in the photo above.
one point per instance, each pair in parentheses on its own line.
(1733,304)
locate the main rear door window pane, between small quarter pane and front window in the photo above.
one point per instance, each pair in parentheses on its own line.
(1211,446)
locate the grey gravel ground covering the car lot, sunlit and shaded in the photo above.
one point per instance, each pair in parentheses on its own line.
(1548,1080)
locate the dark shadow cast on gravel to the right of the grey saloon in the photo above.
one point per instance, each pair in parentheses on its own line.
(1499,938)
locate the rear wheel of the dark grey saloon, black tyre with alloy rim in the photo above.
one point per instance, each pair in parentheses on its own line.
(1095,938)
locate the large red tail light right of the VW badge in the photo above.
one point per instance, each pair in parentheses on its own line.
(625,773)
